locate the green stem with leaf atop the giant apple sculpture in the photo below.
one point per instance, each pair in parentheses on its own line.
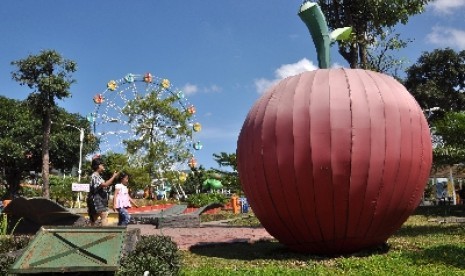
(313,17)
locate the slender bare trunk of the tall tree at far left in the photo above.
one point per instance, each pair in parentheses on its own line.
(47,125)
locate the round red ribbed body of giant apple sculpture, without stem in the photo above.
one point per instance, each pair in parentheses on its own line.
(334,160)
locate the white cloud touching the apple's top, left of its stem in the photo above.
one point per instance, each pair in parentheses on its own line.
(286,70)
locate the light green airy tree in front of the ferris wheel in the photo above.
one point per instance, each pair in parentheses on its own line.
(162,130)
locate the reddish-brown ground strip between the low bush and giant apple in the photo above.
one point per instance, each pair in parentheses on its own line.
(208,233)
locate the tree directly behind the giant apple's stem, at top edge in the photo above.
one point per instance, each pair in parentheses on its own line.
(368,19)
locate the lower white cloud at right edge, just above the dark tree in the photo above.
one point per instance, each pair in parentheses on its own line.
(447,37)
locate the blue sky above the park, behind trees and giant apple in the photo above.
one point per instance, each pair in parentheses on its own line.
(221,54)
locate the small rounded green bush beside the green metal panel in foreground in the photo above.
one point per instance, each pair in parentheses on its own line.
(157,254)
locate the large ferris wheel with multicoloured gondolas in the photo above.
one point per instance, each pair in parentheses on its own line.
(138,111)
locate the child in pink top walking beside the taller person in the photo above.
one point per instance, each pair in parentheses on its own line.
(122,200)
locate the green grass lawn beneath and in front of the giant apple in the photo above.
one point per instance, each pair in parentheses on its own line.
(422,246)
